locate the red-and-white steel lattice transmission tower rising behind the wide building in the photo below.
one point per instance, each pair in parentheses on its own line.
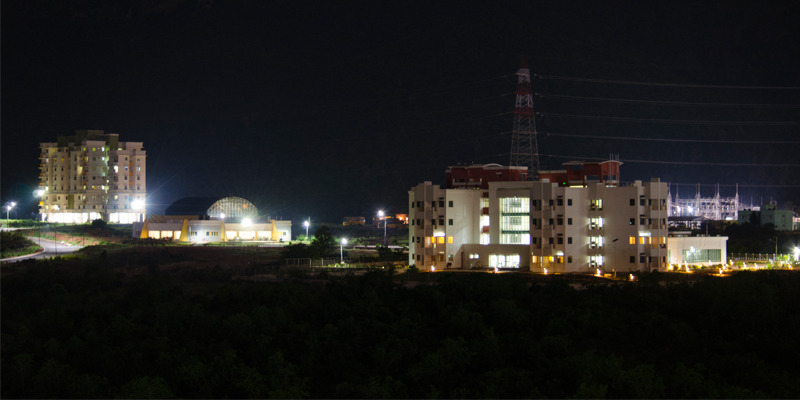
(524,148)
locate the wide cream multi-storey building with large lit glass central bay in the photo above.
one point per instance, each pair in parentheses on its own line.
(538,225)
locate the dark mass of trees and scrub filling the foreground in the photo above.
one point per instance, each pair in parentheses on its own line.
(91,334)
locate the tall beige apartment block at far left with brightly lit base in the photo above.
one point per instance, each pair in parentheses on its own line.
(92,175)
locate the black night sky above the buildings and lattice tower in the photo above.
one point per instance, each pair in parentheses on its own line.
(327,109)
